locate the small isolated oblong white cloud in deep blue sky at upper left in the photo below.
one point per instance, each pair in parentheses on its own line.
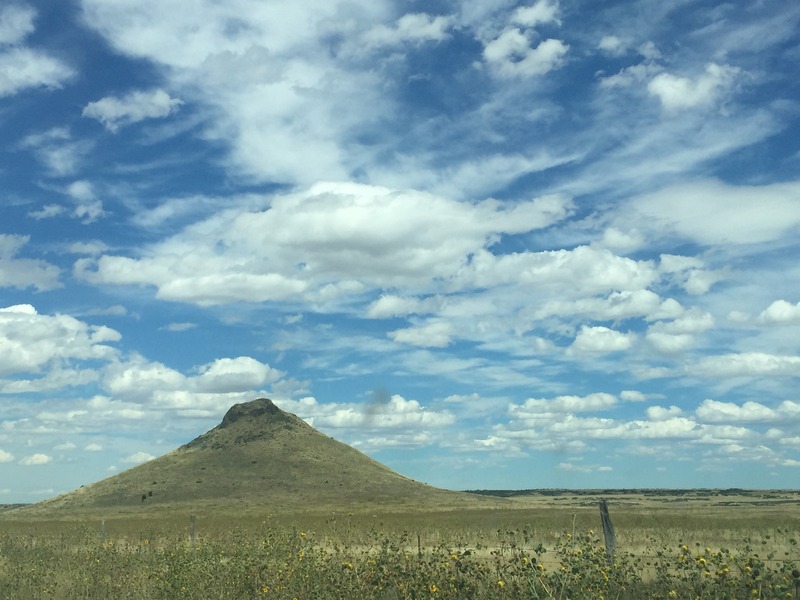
(115,112)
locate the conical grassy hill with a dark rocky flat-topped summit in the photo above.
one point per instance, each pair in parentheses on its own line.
(258,457)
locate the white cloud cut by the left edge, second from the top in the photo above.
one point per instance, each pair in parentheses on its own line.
(22,68)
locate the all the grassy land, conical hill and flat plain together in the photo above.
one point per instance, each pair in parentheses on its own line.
(265,506)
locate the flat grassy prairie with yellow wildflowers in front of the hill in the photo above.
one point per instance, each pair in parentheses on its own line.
(535,548)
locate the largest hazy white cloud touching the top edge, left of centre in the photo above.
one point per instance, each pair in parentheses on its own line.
(262,77)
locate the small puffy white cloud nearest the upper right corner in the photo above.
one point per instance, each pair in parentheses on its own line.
(680,92)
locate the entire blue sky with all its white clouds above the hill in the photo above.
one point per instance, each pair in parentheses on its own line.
(490,244)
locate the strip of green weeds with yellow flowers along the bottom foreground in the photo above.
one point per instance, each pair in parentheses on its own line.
(341,561)
